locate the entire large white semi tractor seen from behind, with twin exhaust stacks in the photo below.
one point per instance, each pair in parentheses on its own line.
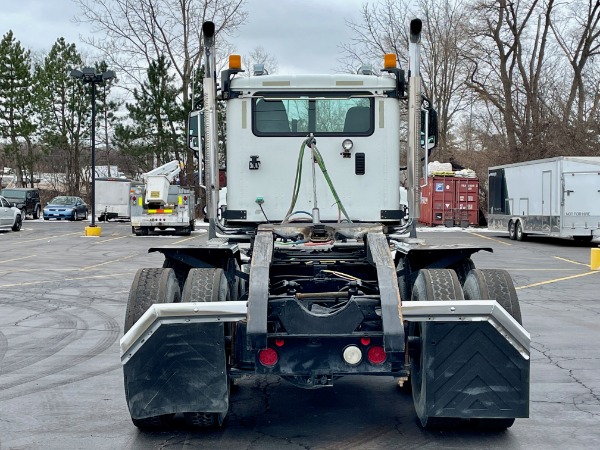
(310,275)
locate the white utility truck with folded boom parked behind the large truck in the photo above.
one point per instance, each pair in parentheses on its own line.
(159,204)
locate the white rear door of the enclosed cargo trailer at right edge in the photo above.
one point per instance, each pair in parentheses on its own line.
(581,198)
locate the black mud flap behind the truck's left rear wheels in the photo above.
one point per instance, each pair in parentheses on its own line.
(180,368)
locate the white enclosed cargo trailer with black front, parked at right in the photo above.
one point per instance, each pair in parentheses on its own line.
(557,197)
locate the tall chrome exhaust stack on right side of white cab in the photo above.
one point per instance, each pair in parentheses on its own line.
(414,123)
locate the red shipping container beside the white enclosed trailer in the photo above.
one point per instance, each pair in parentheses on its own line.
(450,201)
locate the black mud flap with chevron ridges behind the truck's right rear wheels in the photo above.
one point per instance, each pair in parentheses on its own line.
(472,371)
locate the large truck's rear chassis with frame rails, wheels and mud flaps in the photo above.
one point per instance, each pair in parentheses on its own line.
(337,300)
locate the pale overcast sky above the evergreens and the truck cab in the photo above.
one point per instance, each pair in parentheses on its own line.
(302,35)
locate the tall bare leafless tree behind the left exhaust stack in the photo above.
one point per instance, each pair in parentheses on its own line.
(134,34)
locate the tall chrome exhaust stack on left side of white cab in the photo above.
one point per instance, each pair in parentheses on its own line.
(211,153)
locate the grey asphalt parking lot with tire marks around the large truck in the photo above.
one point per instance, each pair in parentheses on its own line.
(62,305)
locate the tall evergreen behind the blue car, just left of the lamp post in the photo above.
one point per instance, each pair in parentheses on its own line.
(64,107)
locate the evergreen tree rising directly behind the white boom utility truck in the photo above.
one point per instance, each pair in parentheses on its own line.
(154,137)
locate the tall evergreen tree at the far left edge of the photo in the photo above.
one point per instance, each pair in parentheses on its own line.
(16,115)
